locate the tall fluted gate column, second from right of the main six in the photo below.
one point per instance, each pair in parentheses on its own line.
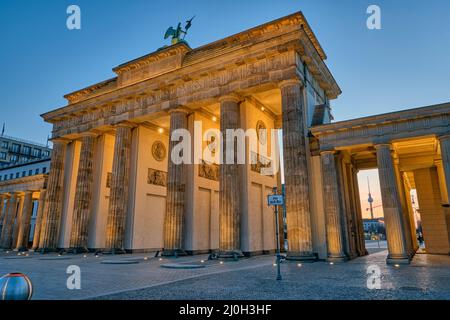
(229,195)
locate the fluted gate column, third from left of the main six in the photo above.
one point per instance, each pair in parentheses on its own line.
(118,200)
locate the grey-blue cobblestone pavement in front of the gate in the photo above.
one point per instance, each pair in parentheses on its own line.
(428,277)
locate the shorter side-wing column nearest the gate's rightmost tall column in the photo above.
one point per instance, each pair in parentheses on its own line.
(332,207)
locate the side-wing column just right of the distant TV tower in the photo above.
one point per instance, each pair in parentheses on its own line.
(392,206)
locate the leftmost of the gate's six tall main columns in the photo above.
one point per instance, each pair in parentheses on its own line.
(48,240)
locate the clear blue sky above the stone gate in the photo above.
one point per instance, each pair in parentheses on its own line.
(401,66)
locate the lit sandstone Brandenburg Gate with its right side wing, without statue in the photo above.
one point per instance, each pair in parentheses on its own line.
(114,187)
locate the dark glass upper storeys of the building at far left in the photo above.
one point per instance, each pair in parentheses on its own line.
(16,151)
